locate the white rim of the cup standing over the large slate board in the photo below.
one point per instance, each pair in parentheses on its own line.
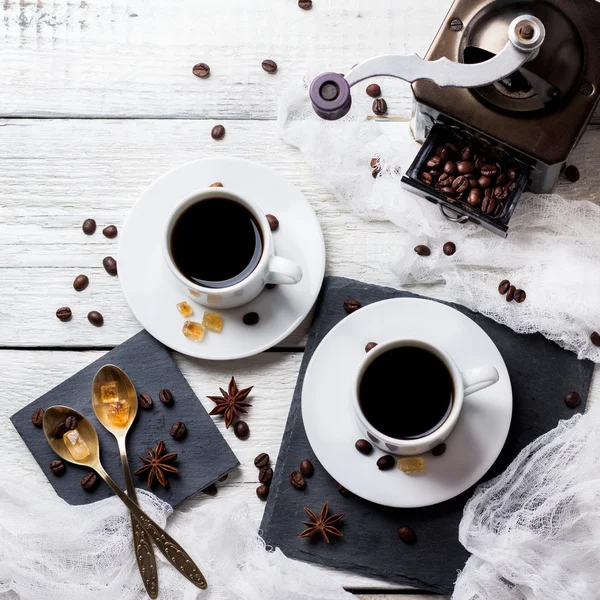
(445,428)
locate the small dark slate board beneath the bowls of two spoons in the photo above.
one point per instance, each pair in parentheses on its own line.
(203,455)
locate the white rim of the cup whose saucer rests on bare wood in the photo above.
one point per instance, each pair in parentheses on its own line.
(205,194)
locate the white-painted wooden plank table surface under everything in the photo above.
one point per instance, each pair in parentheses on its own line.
(97,99)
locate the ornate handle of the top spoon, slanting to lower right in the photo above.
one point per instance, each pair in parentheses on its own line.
(174,553)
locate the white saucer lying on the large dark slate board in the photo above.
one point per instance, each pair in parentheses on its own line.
(332,429)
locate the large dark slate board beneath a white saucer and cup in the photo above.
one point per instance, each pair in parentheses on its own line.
(541,373)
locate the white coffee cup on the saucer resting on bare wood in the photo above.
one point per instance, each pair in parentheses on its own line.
(270,268)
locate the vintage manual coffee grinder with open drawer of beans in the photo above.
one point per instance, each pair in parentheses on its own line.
(513,82)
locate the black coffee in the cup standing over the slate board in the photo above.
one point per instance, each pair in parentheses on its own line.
(406,392)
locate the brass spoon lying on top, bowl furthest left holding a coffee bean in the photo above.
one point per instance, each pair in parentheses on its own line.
(175,554)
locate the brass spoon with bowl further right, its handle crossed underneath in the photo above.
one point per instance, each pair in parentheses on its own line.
(144,553)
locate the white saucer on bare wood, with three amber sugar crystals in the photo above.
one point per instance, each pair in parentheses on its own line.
(151,290)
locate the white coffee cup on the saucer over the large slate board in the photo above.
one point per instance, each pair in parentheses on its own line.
(465,383)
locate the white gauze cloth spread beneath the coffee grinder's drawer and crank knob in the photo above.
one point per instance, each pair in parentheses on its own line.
(552,251)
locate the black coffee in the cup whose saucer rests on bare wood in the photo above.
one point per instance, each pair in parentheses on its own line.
(216,242)
